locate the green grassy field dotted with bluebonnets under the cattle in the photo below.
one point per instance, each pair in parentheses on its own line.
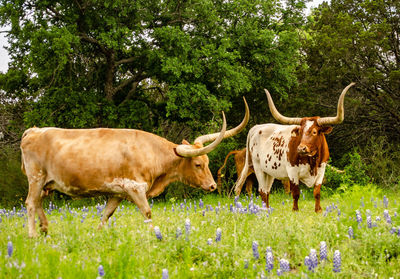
(126,248)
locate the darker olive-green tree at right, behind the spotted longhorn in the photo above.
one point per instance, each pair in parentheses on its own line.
(357,40)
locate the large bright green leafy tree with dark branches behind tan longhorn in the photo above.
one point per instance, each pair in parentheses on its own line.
(118,63)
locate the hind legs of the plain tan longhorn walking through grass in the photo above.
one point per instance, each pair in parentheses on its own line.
(33,202)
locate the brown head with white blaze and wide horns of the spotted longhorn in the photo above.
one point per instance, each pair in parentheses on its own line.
(310,135)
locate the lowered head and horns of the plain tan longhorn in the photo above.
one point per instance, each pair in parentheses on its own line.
(193,169)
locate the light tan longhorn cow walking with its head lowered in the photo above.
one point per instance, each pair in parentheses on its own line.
(119,163)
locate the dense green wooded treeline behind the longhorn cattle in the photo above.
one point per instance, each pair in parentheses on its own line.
(170,67)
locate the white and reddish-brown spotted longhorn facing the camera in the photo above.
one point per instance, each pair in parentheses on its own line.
(297,151)
